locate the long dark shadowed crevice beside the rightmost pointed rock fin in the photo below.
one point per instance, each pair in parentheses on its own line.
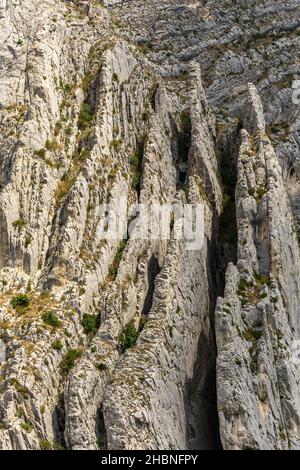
(201,396)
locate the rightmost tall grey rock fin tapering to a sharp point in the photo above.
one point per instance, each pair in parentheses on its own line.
(257,321)
